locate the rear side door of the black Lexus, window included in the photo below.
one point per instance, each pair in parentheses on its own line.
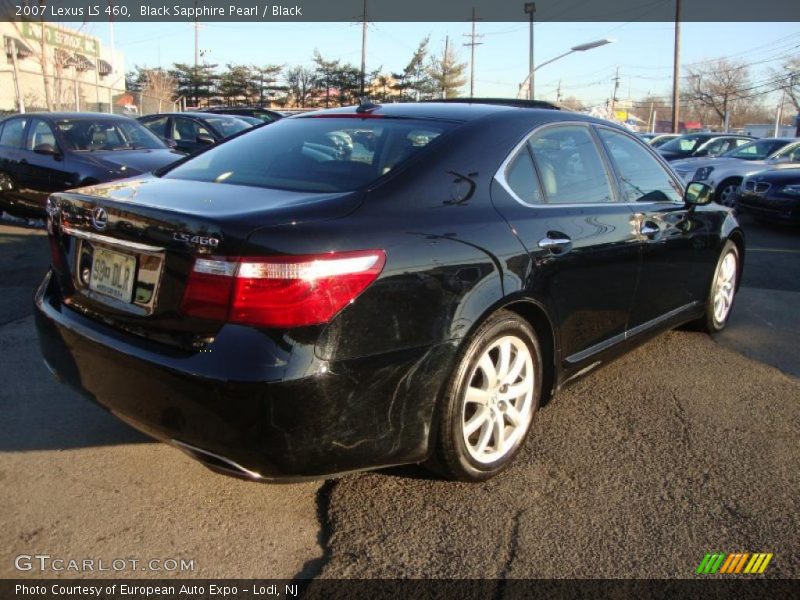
(557,193)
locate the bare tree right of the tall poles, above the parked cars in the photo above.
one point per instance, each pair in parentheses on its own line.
(717,87)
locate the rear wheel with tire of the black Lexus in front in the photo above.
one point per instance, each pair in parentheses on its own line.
(490,401)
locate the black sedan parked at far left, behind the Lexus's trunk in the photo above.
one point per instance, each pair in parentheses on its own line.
(42,153)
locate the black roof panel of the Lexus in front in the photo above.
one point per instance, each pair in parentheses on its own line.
(454,111)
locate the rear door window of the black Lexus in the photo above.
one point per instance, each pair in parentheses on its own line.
(569,165)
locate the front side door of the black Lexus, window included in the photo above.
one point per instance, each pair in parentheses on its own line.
(675,243)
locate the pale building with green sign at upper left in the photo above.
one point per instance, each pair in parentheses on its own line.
(47,66)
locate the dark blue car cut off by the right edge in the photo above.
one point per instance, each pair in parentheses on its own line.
(772,195)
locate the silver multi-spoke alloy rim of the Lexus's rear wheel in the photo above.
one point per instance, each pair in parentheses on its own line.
(498,402)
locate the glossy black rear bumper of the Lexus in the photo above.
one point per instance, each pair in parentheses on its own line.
(300,418)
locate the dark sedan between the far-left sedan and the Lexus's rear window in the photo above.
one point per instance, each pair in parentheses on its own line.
(193,131)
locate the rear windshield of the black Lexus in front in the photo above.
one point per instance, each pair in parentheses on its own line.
(313,154)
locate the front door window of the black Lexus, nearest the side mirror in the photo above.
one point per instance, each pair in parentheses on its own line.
(642,178)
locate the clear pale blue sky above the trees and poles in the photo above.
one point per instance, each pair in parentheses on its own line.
(642,51)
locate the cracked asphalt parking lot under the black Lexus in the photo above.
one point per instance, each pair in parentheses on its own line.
(686,446)
